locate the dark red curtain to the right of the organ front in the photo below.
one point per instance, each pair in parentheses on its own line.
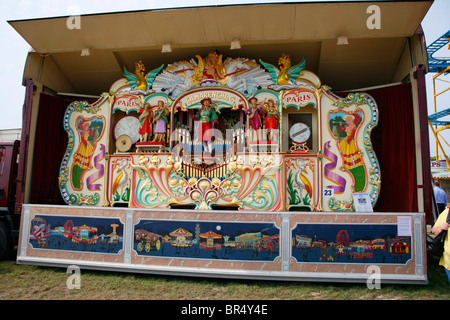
(393,140)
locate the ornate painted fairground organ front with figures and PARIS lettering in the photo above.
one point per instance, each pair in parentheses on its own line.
(214,133)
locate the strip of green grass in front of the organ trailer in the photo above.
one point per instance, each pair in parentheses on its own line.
(26,282)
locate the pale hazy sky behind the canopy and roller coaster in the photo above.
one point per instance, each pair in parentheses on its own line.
(14,49)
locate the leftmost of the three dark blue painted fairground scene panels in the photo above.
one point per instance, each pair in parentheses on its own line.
(99,235)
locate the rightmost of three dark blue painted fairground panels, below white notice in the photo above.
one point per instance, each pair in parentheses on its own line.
(350,244)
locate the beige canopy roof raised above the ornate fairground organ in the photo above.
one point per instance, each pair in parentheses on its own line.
(265,31)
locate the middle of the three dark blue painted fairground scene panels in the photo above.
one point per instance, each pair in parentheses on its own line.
(207,240)
